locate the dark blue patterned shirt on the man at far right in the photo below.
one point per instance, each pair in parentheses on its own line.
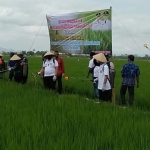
(129,73)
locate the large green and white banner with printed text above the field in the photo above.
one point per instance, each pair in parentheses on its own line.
(82,32)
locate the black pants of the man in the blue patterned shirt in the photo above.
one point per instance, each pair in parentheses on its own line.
(123,92)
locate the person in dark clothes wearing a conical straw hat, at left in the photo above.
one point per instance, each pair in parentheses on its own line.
(17,68)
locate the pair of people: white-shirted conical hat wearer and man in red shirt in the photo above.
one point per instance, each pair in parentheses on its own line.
(52,71)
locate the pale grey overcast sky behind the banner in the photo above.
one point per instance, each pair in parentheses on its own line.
(20,21)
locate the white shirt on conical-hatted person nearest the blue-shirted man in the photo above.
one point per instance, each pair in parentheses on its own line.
(103,70)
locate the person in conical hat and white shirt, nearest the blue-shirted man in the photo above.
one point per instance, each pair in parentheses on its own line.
(104,85)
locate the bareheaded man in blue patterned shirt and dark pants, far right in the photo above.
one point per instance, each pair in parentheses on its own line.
(130,72)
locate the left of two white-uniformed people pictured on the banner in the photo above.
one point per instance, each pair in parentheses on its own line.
(97,24)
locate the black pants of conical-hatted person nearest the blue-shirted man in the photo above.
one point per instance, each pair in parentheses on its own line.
(105,95)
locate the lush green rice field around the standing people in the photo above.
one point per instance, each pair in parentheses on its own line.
(32,118)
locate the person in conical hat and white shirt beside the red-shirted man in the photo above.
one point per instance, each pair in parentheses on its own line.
(49,71)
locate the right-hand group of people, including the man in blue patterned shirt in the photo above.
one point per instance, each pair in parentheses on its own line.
(103,74)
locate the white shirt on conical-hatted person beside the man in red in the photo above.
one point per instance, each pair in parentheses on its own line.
(50,67)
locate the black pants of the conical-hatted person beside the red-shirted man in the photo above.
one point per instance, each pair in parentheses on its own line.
(49,83)
